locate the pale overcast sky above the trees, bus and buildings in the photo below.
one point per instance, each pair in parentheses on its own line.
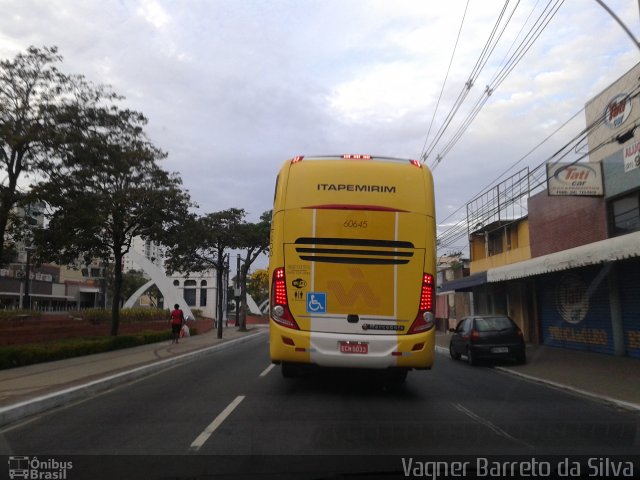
(232,88)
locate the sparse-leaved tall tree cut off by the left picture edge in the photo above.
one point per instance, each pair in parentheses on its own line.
(37,103)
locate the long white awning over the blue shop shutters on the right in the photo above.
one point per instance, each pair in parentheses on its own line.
(609,250)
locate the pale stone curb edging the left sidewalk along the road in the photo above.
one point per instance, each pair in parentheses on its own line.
(34,406)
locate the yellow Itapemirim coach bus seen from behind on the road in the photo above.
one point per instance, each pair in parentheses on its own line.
(352,264)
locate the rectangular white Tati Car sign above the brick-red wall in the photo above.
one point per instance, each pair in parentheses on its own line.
(574,179)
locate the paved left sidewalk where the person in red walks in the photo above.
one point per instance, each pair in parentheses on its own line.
(33,389)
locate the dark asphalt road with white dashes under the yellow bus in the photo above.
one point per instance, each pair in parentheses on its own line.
(233,402)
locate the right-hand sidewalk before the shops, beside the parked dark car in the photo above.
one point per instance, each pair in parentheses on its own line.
(605,378)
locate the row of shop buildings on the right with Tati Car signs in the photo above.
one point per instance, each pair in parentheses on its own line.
(580,286)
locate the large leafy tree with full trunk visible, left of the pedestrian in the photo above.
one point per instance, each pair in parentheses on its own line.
(107,189)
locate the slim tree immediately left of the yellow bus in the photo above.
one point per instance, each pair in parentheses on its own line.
(253,238)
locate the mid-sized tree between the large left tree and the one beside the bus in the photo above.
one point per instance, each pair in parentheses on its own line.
(200,244)
